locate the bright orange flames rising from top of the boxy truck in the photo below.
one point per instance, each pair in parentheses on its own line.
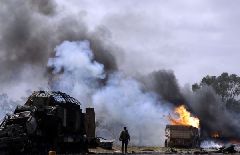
(185,118)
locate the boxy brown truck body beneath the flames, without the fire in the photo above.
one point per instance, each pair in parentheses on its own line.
(182,136)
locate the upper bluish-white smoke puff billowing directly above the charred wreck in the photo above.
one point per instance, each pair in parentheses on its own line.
(80,72)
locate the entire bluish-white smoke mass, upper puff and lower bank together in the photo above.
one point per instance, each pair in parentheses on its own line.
(119,102)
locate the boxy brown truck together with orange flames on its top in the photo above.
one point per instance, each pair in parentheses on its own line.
(184,131)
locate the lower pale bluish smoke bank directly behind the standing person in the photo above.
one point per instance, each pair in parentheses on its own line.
(122,103)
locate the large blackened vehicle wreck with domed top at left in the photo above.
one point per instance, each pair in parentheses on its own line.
(48,120)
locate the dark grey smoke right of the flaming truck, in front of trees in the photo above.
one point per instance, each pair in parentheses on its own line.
(213,114)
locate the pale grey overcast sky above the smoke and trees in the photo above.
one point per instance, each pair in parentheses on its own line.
(191,37)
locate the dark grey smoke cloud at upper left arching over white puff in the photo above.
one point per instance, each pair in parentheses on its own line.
(29,32)
